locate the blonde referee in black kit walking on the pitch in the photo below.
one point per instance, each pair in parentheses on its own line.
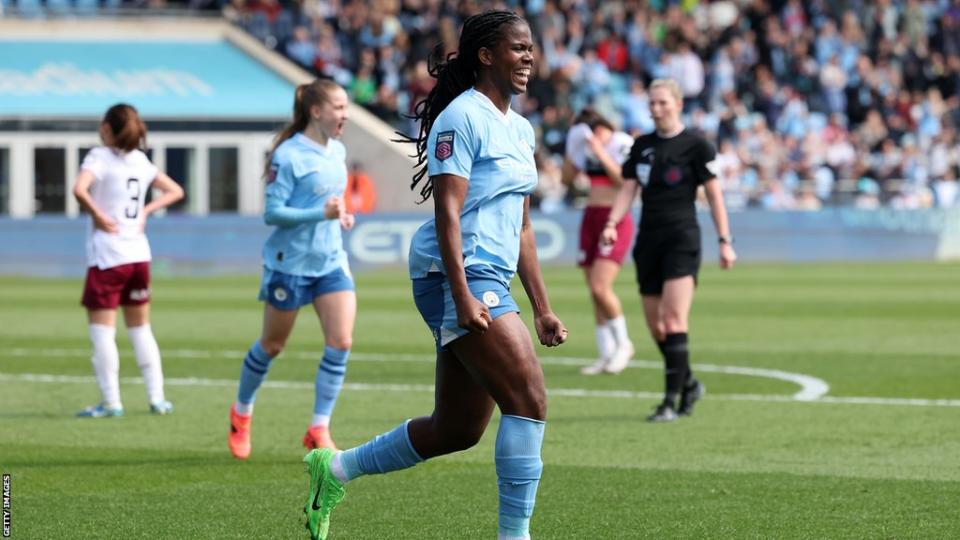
(669,165)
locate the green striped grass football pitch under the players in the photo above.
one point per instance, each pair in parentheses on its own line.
(752,462)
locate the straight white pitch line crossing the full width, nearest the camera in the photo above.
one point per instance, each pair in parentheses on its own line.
(429,388)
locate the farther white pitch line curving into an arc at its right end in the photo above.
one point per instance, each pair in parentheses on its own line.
(811,388)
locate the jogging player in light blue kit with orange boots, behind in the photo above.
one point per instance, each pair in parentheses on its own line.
(304,261)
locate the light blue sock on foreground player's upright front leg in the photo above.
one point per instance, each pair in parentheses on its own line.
(517,456)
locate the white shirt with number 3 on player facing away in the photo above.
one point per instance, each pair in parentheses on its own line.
(121,182)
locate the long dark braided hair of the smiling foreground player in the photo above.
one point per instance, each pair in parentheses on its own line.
(455,74)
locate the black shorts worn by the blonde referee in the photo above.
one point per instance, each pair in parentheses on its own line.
(665,254)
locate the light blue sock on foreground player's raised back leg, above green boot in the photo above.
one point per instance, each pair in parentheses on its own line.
(390,451)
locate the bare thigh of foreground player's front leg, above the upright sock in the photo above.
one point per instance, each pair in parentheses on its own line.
(502,360)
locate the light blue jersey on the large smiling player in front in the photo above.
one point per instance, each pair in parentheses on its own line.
(494,152)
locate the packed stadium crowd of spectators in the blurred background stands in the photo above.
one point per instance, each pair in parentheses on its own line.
(809,103)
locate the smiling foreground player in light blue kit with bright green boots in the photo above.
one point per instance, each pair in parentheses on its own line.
(480,170)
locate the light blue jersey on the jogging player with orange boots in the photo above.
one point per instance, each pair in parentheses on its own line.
(303,175)
